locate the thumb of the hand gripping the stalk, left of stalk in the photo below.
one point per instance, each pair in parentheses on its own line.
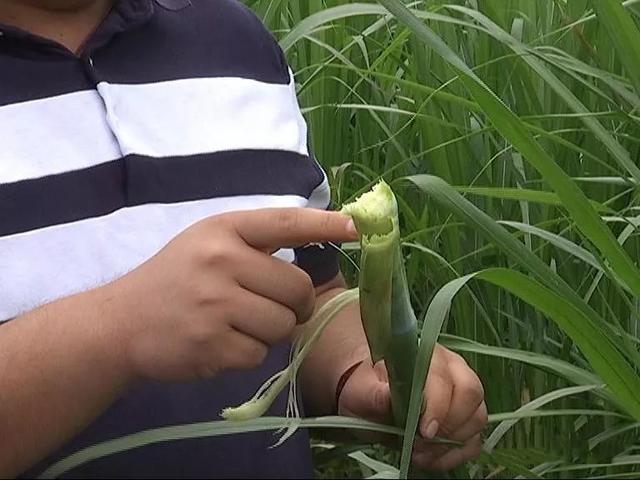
(366,396)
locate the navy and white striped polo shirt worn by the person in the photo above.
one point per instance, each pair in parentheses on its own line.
(175,110)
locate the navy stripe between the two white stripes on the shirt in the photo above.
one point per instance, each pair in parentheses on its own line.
(135,180)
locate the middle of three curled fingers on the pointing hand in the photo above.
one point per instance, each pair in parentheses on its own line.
(262,319)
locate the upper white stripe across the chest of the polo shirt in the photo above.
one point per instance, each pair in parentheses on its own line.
(175,118)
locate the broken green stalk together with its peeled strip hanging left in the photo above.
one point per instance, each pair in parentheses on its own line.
(387,316)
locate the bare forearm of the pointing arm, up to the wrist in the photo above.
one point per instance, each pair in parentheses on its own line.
(60,367)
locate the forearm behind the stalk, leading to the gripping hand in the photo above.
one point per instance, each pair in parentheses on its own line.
(342,344)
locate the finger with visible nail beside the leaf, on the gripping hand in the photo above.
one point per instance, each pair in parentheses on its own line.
(438,393)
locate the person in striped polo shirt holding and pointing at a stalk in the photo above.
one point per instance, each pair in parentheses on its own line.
(160,216)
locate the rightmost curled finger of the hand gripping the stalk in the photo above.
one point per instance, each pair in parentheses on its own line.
(468,394)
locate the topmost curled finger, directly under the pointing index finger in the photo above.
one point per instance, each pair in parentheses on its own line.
(277,280)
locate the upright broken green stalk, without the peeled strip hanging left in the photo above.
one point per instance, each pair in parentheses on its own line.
(387,316)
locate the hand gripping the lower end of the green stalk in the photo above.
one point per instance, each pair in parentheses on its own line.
(455,408)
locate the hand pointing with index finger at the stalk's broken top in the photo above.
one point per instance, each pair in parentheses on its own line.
(215,298)
